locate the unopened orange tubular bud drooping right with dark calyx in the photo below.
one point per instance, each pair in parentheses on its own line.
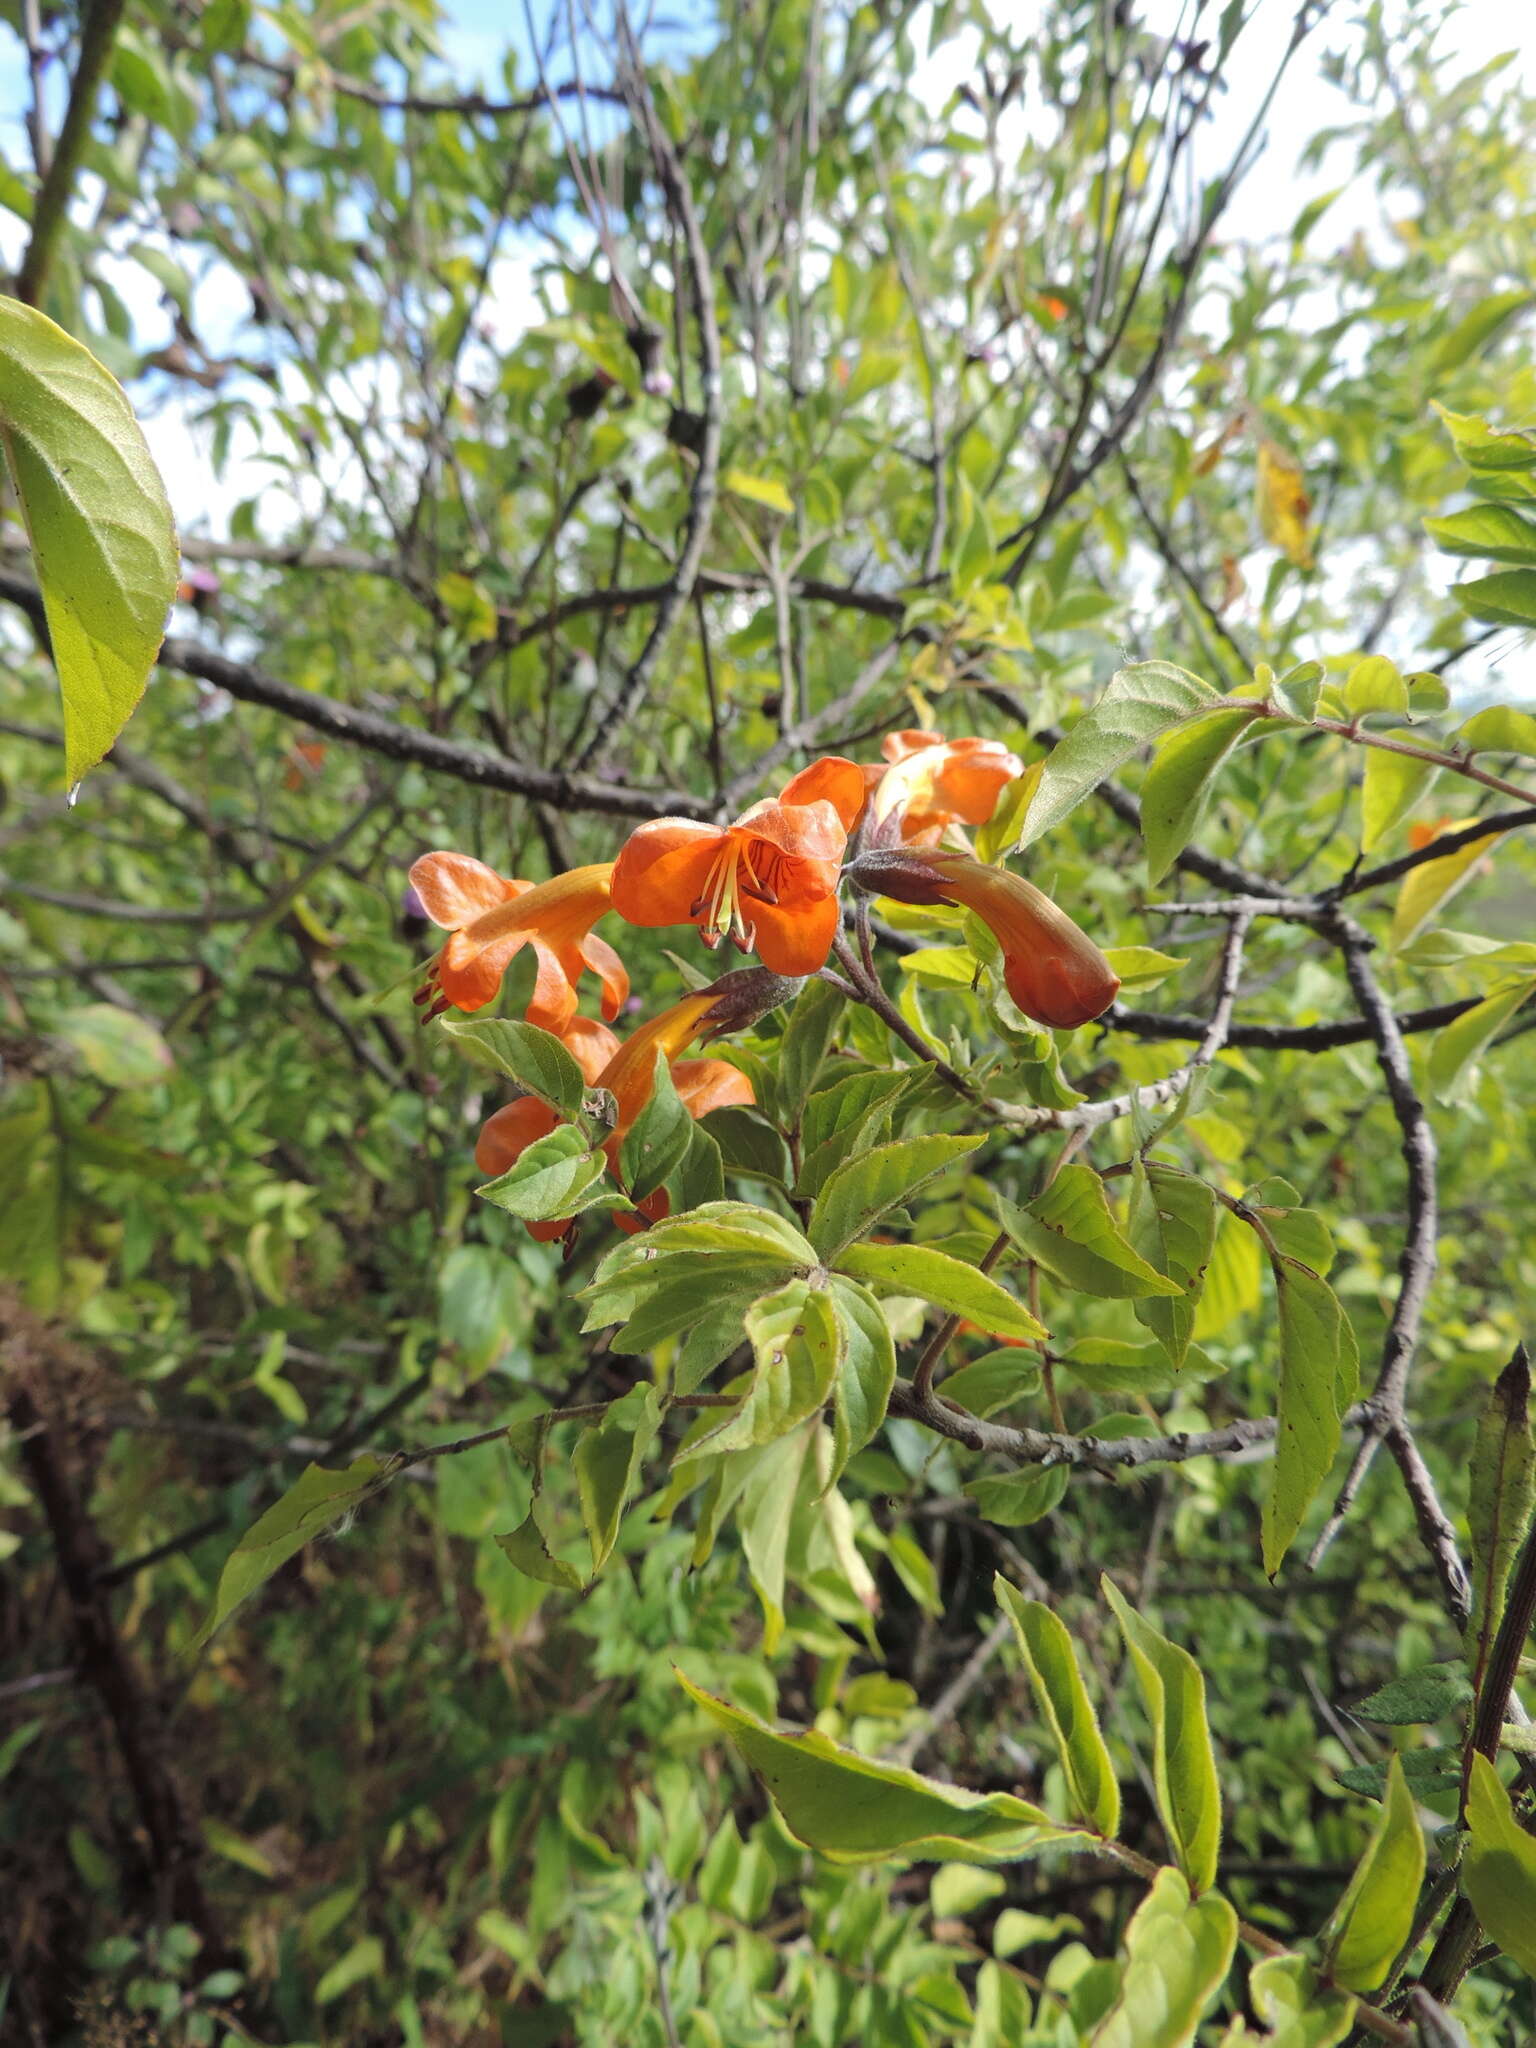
(1054,972)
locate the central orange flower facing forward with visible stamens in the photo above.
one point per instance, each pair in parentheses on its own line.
(767,882)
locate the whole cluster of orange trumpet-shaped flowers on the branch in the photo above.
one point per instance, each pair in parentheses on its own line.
(767,884)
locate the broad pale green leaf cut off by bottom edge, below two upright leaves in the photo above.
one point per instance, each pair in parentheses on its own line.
(1179,1955)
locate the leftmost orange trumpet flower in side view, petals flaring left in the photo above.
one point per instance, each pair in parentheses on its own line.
(490,919)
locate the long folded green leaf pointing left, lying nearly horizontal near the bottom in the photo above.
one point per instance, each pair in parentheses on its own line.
(857,1811)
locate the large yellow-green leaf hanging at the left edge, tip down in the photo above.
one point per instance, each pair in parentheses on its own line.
(97,519)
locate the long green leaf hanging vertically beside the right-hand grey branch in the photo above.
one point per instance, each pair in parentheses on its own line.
(1320,1367)
